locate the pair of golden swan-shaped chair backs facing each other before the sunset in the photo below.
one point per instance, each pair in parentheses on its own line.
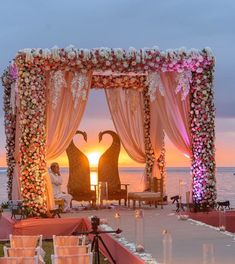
(79,169)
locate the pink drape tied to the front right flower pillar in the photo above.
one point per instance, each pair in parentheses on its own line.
(174,113)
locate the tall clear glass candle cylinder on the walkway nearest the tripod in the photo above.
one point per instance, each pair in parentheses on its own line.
(139,231)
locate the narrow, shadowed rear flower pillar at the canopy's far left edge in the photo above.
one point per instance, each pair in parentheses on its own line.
(10,126)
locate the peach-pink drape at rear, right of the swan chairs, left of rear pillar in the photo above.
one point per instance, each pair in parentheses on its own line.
(126,108)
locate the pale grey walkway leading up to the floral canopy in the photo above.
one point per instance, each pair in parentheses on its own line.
(188,236)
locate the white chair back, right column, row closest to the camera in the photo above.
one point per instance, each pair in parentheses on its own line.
(75,259)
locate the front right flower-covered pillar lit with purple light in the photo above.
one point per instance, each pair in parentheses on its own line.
(202,114)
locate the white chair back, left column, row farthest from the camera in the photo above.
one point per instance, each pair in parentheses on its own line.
(17,241)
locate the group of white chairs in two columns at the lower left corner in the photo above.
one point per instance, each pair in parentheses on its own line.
(28,250)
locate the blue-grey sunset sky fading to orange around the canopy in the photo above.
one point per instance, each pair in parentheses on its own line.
(137,23)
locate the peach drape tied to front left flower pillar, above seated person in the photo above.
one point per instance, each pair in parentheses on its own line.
(62,123)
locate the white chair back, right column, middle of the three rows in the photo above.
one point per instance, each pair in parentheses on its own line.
(71,250)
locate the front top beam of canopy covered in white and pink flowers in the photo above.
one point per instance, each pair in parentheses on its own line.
(118,60)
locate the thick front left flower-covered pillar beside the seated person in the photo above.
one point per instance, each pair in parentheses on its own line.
(32,142)
